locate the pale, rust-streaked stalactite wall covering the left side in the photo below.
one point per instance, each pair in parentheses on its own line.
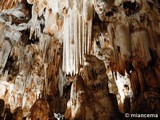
(29,67)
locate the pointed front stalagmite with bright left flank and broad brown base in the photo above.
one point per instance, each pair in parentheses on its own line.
(85,104)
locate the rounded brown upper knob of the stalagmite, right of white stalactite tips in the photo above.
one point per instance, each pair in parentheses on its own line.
(94,74)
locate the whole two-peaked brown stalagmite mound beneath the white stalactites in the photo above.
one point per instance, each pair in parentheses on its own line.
(89,97)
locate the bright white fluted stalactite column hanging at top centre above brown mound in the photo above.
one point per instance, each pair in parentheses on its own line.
(77,37)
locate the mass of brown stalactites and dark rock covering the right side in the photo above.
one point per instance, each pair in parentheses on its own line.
(129,39)
